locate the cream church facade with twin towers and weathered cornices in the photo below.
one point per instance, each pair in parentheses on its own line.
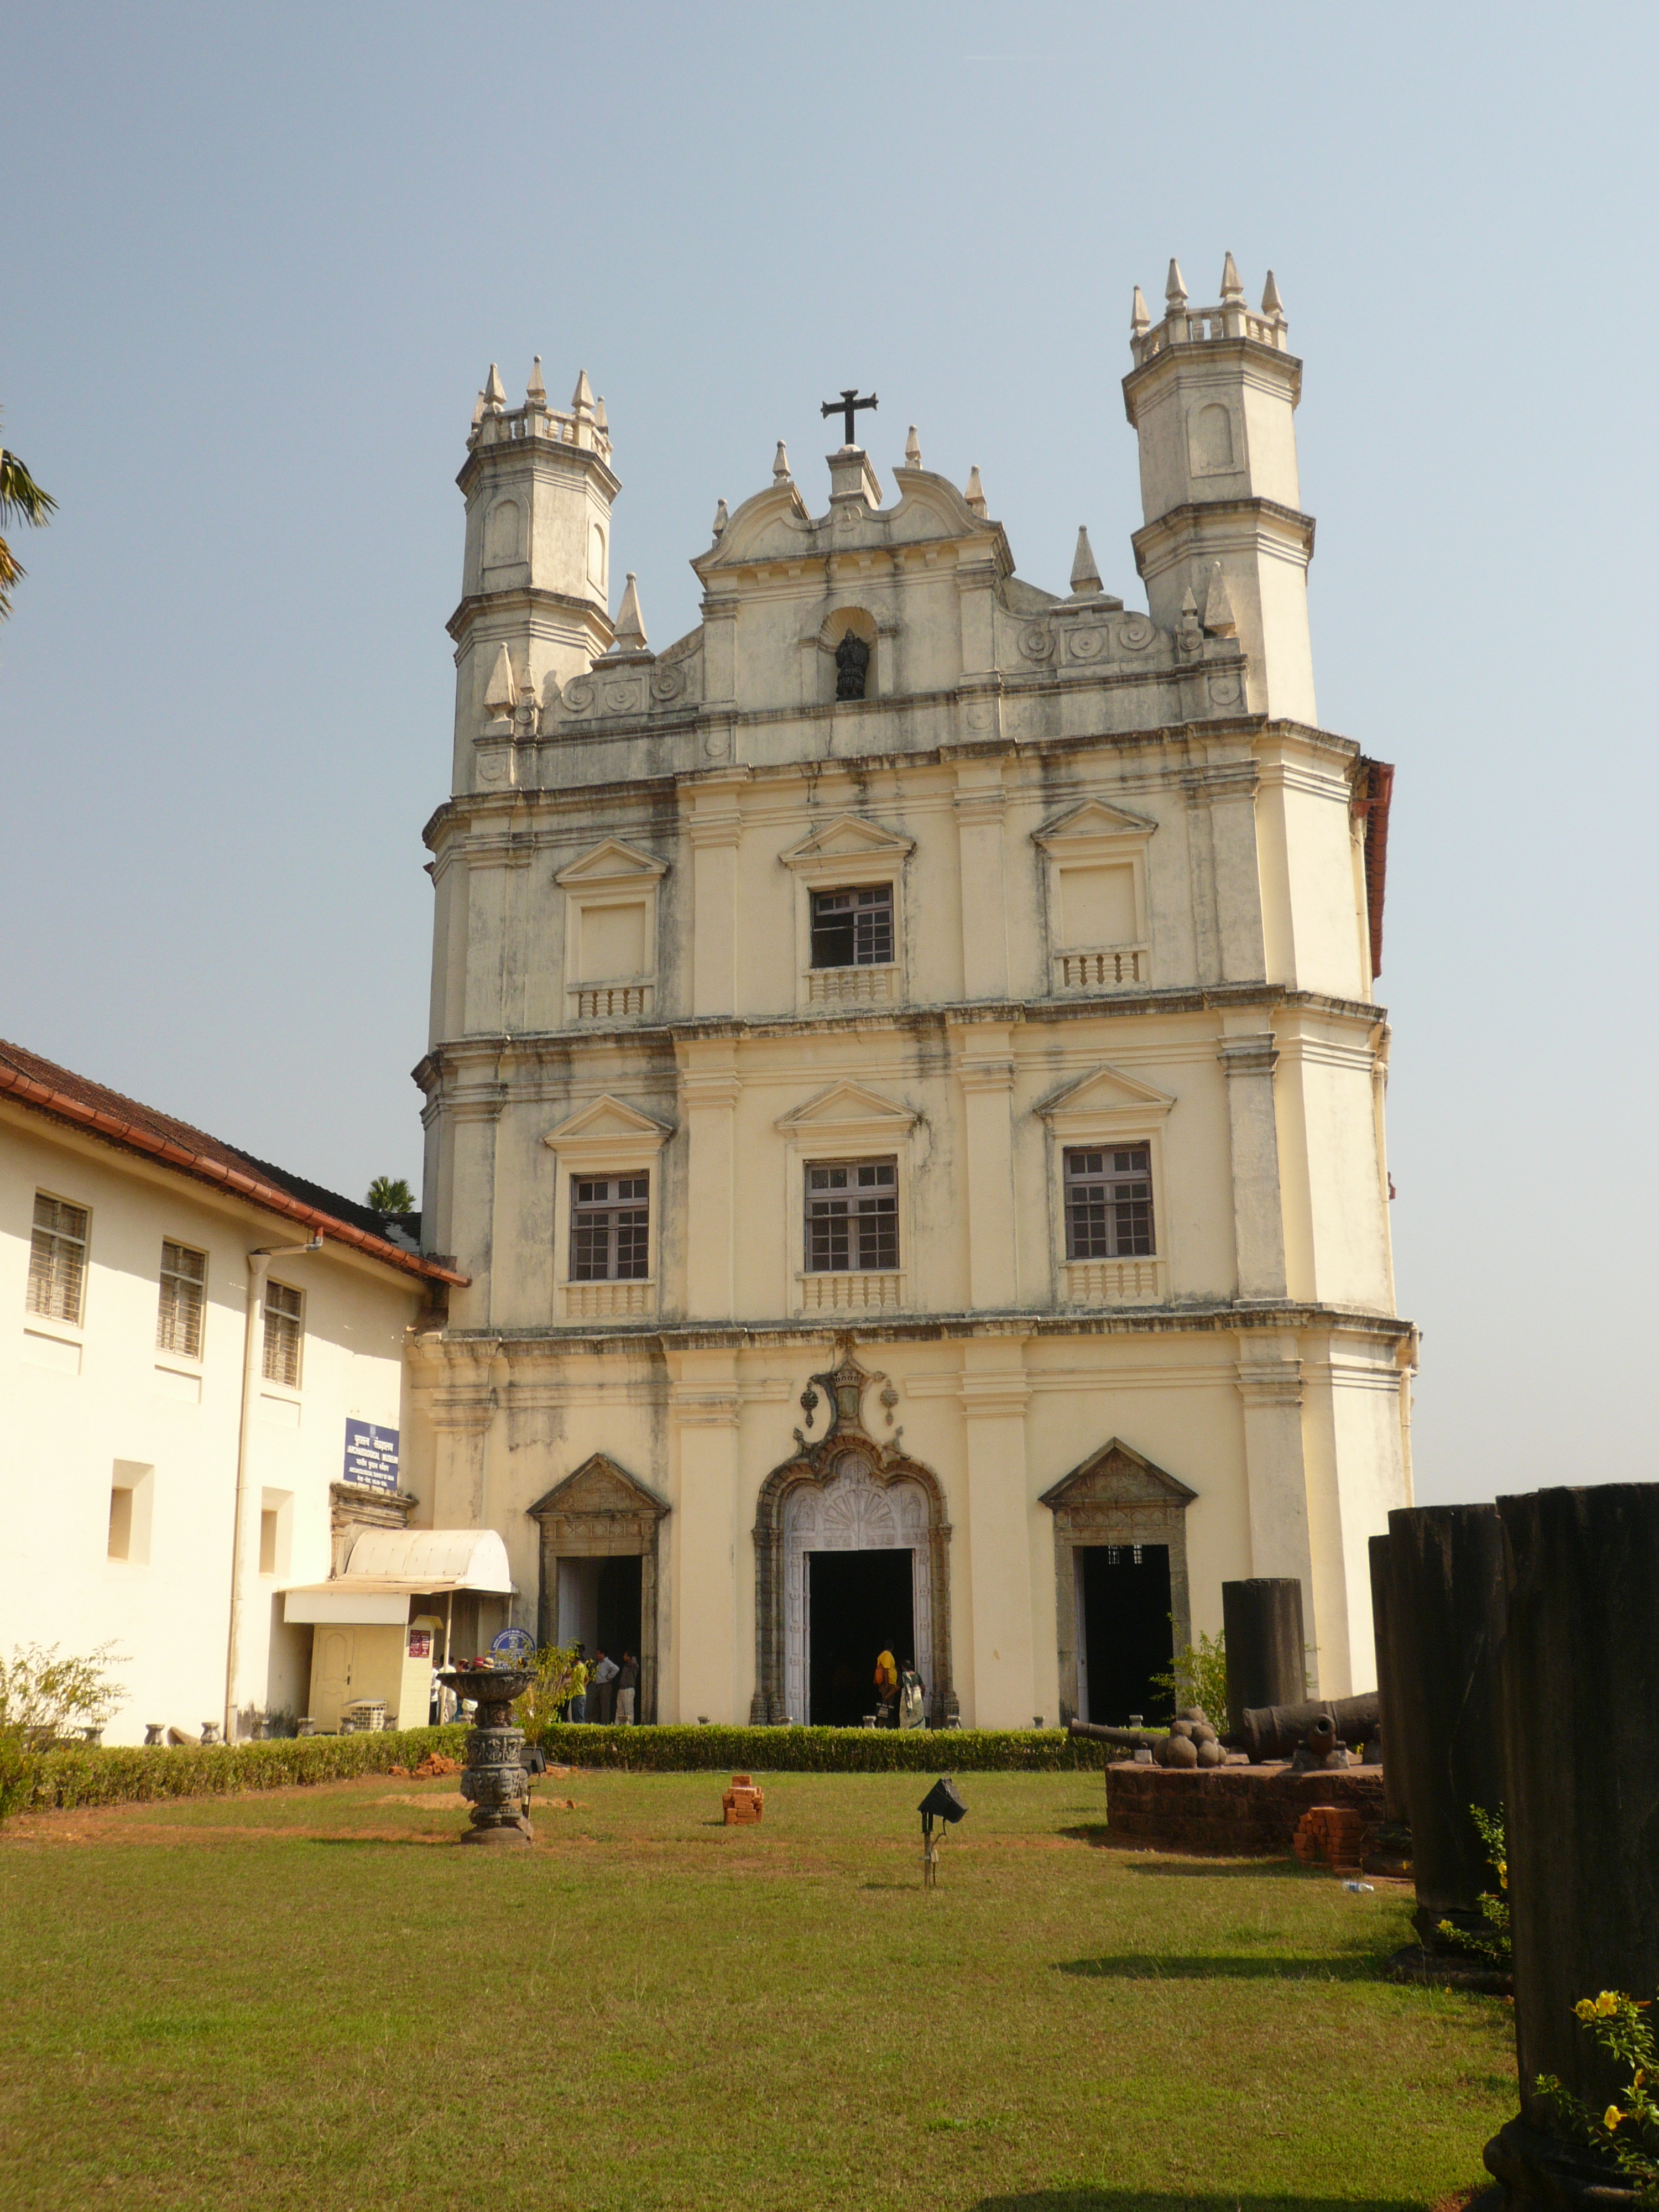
(906,1078)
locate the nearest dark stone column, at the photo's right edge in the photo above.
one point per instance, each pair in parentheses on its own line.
(1580,1740)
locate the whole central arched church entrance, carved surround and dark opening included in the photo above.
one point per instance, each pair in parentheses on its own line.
(859,1532)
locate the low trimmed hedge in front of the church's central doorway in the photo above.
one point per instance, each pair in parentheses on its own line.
(822,1751)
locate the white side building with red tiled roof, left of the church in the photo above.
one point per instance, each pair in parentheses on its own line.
(187,1331)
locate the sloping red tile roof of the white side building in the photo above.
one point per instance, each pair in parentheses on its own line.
(129,1127)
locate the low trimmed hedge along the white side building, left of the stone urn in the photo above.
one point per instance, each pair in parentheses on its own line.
(129,1775)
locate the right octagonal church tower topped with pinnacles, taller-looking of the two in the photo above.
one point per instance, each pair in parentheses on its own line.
(1213,395)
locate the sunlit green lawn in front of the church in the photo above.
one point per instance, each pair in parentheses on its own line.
(315,1999)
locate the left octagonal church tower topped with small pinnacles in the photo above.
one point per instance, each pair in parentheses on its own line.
(536,578)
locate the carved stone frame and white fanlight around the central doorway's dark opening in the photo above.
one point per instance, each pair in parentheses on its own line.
(846,1492)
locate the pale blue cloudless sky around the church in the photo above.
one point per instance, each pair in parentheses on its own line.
(260,260)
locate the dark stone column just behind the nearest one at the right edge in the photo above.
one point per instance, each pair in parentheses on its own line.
(1448,1625)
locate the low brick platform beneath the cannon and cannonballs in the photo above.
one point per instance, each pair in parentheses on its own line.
(1233,1813)
